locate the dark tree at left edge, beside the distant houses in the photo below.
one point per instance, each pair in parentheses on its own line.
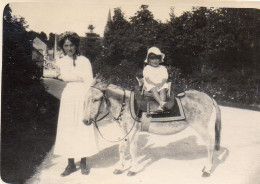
(18,68)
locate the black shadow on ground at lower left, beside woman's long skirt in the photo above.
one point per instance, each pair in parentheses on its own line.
(28,130)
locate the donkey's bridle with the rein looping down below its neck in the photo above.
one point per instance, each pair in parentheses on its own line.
(117,119)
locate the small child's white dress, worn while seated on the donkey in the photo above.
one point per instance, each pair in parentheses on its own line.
(156,75)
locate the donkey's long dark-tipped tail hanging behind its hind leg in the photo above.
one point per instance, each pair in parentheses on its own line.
(217,126)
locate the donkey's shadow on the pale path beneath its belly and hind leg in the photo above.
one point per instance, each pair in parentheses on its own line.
(184,149)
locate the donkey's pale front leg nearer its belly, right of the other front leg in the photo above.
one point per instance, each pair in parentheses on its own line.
(133,149)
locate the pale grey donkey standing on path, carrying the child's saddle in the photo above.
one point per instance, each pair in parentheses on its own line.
(202,113)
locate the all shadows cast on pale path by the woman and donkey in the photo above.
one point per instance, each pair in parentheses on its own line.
(184,149)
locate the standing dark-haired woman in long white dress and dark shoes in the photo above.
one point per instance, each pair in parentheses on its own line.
(74,139)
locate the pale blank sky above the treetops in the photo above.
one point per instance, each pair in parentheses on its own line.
(58,16)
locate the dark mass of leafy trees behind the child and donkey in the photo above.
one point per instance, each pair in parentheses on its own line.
(209,45)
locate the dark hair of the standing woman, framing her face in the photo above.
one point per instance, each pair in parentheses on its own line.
(72,37)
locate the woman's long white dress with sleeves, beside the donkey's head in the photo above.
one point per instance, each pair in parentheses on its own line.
(74,139)
